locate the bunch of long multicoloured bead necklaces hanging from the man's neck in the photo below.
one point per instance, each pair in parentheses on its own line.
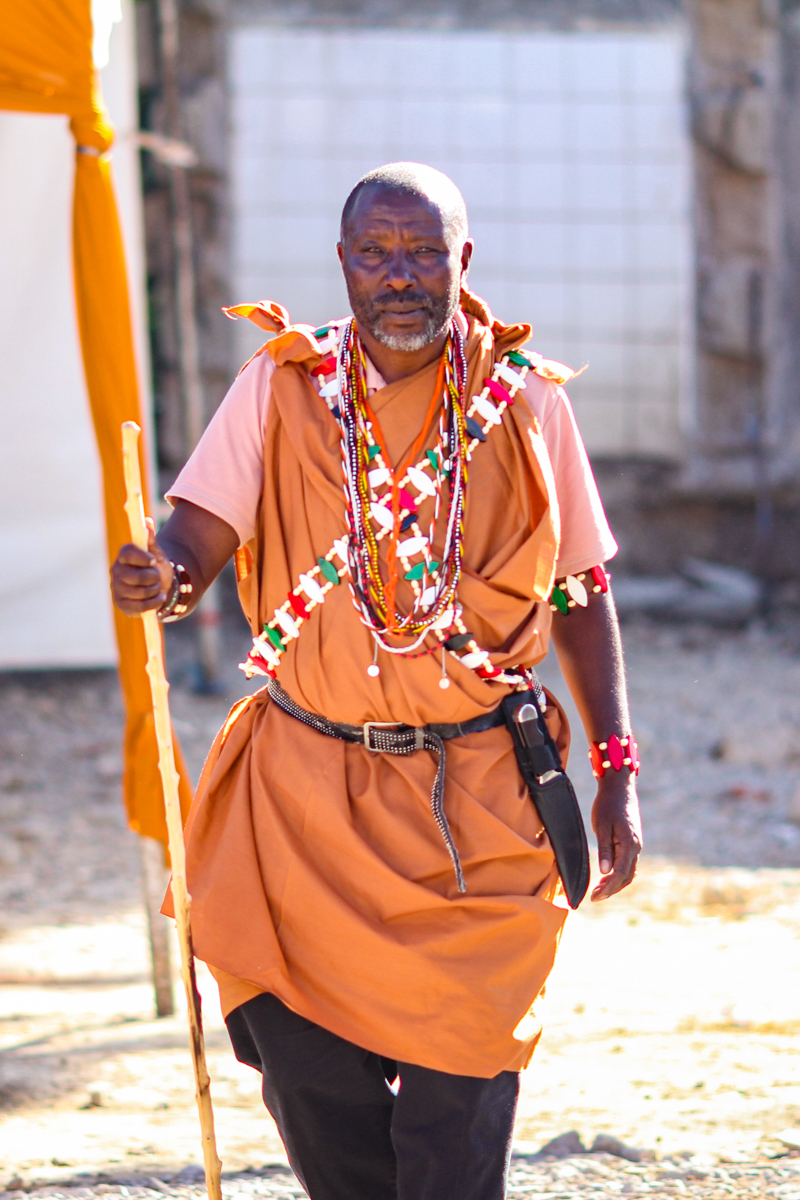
(365,464)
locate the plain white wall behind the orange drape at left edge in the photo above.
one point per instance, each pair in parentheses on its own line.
(55,603)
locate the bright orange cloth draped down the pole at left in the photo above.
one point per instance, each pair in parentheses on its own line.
(46,67)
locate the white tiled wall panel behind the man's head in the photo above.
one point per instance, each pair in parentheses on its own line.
(572,151)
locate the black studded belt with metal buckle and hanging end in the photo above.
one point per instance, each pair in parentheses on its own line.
(393,737)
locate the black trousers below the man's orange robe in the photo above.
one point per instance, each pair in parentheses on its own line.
(351,1138)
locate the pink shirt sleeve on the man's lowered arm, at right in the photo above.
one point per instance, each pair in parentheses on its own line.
(586,536)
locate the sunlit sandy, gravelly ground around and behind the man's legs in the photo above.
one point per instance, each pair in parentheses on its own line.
(671,1019)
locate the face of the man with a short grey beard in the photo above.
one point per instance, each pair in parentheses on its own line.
(402,268)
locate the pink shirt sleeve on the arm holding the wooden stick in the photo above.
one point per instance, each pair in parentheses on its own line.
(225,473)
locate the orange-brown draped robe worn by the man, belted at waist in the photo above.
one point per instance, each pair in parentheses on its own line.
(316,868)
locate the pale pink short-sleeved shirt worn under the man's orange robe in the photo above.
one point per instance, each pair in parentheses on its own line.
(225,473)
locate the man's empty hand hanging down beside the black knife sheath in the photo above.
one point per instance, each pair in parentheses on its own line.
(617,825)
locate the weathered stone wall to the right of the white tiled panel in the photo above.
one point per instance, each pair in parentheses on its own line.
(737,496)
